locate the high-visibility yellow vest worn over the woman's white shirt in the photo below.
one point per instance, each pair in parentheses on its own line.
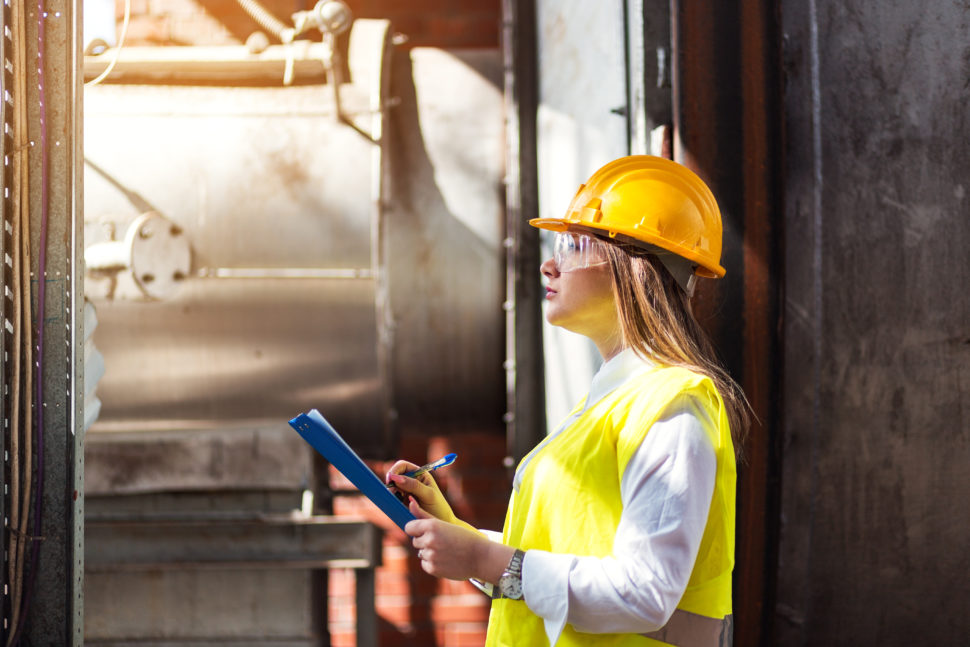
(569,502)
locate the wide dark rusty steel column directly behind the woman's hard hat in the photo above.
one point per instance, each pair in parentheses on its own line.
(726,128)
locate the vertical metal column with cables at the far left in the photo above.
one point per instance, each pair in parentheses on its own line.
(55,612)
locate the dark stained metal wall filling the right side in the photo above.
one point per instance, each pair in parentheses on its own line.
(874,531)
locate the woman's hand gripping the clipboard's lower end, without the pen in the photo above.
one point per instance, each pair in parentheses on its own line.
(455,552)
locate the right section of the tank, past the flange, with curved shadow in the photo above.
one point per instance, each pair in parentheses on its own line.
(444,231)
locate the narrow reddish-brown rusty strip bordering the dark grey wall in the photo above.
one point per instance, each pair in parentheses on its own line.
(758,479)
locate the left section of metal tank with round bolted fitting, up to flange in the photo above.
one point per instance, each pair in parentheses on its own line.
(232,251)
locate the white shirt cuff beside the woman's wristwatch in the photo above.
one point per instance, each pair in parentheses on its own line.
(545,585)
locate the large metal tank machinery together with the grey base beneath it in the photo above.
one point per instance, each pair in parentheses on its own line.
(258,243)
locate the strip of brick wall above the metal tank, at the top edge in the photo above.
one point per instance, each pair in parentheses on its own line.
(432,23)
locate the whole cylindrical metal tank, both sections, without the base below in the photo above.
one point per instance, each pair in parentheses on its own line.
(252,253)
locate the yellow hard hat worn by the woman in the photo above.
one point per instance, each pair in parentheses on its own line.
(651,200)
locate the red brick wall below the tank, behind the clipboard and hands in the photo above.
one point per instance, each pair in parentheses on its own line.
(415,609)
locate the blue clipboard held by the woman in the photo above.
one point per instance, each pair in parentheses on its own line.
(322,437)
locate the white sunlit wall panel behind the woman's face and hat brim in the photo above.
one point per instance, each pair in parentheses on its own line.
(582,78)
